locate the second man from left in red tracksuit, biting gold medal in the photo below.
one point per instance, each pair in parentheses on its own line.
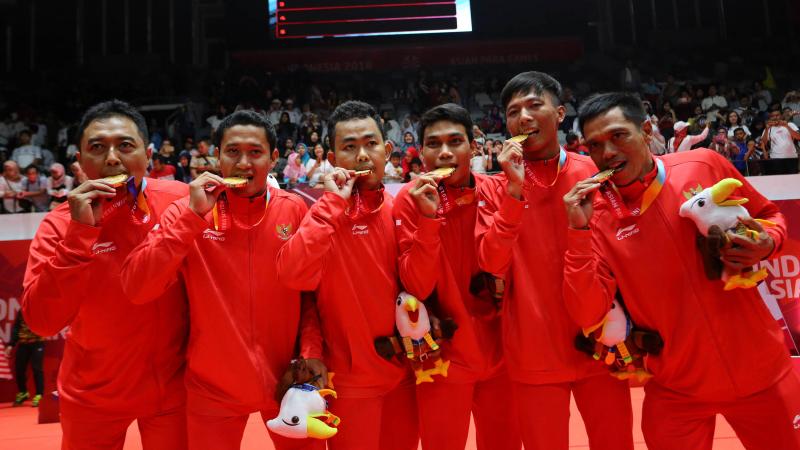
(219,245)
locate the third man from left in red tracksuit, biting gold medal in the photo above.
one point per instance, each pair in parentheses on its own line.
(345,250)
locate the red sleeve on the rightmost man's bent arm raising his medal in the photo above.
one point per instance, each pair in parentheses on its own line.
(589,285)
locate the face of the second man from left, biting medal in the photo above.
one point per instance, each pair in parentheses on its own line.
(245,153)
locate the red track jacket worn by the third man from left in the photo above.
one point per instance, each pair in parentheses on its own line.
(352,264)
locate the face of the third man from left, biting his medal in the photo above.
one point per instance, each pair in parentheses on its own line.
(359,145)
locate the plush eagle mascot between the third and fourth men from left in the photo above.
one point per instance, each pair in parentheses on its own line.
(415,340)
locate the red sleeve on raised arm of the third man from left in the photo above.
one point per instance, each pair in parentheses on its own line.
(301,260)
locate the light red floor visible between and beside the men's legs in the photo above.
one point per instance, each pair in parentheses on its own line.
(19,431)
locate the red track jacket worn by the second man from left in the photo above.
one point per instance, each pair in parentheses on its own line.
(243,322)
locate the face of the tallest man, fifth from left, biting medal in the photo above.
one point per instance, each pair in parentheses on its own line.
(537,116)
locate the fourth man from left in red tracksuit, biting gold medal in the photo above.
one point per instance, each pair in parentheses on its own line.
(435,226)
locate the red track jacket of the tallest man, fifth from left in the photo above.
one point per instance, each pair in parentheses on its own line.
(525,241)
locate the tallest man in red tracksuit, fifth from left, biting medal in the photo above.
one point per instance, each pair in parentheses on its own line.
(521,235)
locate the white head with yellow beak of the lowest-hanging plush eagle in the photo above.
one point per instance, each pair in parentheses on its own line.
(304,414)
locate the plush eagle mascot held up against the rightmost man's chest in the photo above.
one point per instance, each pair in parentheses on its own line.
(715,213)
